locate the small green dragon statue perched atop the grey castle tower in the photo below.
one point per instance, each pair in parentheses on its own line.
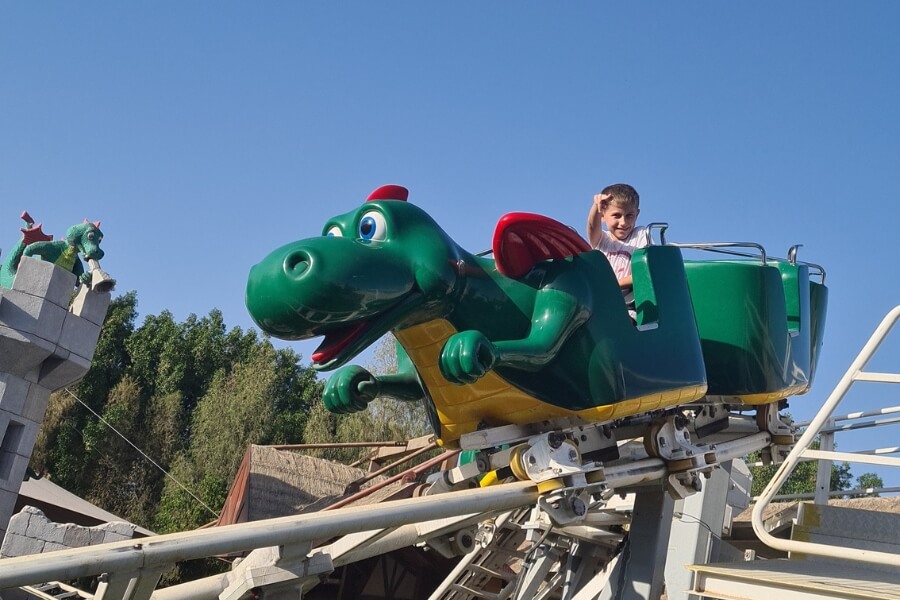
(82,239)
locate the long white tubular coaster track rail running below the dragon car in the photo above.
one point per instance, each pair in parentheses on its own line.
(133,568)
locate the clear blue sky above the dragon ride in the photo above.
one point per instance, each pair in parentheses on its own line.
(205,134)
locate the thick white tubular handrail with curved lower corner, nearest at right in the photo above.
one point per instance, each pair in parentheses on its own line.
(822,421)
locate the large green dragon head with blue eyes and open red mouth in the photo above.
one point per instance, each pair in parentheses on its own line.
(385,265)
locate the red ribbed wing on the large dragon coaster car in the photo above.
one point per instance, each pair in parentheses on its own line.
(521,240)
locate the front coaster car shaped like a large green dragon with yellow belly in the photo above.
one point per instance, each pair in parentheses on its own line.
(539,332)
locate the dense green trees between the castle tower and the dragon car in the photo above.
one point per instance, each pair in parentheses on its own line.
(184,398)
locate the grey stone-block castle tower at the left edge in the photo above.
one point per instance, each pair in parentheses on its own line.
(47,341)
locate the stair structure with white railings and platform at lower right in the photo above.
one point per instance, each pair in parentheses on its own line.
(833,552)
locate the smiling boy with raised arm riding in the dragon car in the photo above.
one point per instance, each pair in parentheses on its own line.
(618,207)
